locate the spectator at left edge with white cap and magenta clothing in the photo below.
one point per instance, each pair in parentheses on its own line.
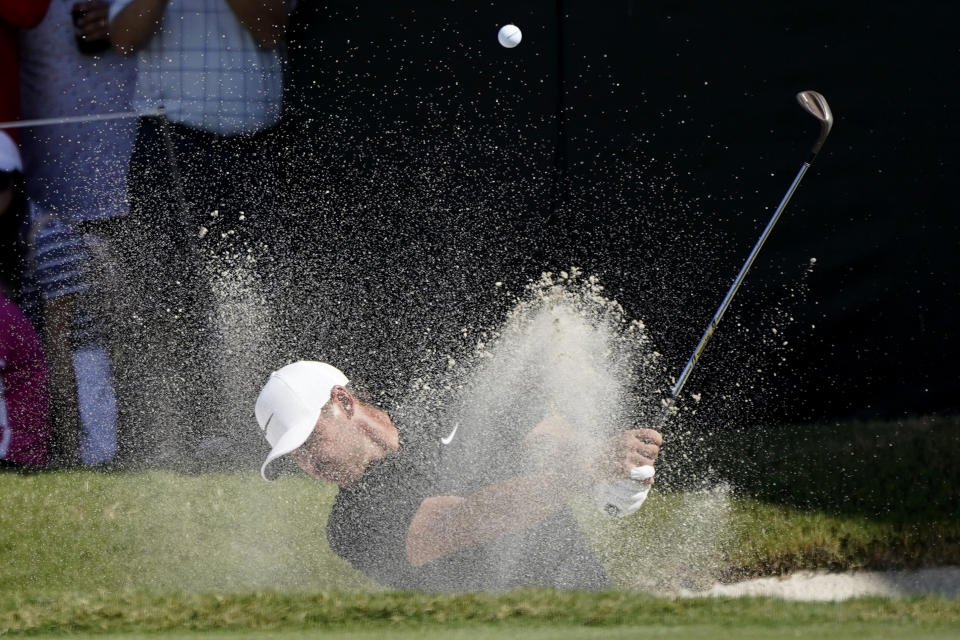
(24,404)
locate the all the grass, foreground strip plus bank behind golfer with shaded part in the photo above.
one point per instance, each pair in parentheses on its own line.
(160,554)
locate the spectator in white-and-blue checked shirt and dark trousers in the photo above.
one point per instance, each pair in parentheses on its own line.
(216,68)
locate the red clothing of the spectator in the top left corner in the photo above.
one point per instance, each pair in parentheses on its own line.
(14,15)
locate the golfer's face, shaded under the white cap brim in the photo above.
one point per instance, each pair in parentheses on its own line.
(335,451)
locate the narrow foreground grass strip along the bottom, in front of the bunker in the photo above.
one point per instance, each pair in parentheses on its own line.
(530,611)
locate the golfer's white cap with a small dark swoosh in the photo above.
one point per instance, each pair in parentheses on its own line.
(290,403)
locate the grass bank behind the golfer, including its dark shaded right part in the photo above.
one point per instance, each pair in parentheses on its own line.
(161,531)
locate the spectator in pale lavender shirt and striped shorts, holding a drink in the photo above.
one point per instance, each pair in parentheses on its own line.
(76,173)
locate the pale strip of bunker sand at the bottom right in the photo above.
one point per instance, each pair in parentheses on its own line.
(829,586)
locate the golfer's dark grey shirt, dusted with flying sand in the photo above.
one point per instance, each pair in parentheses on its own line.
(370,518)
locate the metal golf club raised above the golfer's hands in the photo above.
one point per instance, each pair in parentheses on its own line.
(816,105)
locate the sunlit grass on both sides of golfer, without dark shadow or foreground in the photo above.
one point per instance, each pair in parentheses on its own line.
(84,531)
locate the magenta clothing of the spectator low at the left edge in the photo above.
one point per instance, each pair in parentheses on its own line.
(24,403)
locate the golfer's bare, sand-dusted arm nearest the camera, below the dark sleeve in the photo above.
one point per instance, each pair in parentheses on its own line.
(446,524)
